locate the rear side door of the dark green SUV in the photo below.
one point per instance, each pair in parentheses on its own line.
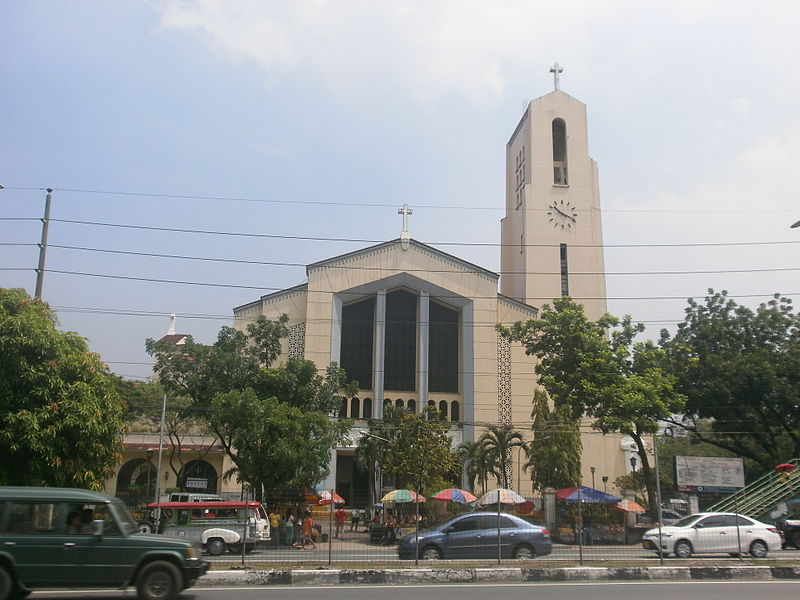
(33,536)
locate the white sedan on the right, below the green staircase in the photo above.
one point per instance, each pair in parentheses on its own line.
(714,533)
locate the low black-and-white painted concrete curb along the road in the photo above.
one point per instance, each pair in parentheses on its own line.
(311,577)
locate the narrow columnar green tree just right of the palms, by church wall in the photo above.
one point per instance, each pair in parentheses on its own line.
(554,455)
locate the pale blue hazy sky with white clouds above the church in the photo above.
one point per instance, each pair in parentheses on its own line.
(276,134)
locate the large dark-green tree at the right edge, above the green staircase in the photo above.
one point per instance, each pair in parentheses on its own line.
(740,372)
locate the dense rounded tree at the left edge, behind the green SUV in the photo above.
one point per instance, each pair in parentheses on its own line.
(60,415)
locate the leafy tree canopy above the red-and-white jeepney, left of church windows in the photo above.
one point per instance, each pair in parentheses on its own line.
(275,423)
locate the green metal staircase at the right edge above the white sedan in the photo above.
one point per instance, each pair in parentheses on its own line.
(759,497)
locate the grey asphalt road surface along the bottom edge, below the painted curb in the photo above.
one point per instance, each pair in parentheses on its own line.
(712,590)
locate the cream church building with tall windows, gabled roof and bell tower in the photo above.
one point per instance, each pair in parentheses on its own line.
(415,326)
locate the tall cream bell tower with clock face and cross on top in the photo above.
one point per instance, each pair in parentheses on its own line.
(552,233)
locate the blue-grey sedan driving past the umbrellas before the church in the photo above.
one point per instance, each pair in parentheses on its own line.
(474,535)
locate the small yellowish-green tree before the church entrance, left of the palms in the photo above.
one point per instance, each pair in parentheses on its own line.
(420,451)
